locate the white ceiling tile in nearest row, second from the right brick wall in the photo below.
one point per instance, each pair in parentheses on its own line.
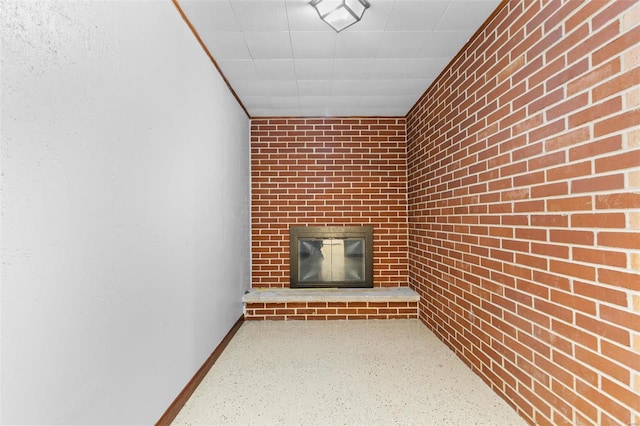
(415,15)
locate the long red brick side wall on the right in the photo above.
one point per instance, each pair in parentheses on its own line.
(524,208)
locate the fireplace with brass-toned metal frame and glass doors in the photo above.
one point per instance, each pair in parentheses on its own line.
(331,256)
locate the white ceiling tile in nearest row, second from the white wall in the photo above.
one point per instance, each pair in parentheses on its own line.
(260,15)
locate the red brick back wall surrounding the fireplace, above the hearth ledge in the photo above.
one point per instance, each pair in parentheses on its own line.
(328,172)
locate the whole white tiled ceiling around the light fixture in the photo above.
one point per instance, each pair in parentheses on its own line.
(282,60)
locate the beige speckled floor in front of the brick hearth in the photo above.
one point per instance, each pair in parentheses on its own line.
(375,372)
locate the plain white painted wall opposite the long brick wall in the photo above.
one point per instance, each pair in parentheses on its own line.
(125,210)
